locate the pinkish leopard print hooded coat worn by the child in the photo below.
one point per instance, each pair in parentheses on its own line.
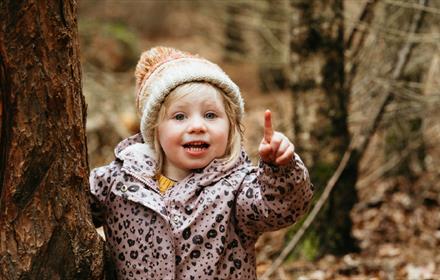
(204,227)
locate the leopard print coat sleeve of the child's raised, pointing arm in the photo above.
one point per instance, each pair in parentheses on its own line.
(272,197)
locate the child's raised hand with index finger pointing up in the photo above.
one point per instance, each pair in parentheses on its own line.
(275,148)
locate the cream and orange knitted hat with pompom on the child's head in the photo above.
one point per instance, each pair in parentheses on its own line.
(160,70)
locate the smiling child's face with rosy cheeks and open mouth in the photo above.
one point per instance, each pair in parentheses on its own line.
(193,132)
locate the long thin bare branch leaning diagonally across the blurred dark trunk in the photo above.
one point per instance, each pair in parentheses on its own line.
(403,57)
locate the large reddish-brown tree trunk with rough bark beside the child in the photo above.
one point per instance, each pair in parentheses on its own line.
(45,226)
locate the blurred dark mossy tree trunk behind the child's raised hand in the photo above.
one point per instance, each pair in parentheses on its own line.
(320,118)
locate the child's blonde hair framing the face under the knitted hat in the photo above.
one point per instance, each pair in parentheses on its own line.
(232,111)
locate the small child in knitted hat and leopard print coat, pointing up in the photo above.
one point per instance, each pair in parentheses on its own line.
(182,200)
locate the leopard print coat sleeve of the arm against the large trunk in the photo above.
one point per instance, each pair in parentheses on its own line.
(101,182)
